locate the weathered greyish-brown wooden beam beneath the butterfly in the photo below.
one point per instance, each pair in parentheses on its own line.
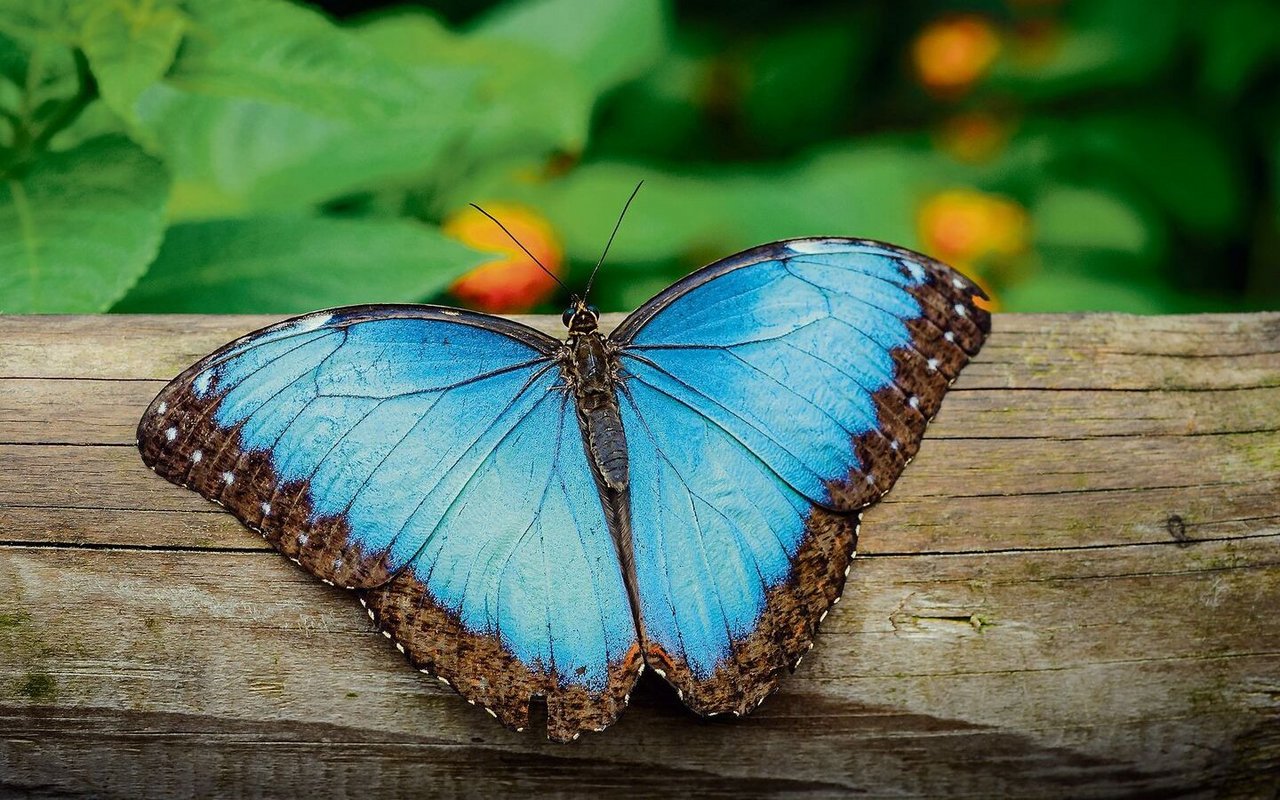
(1075,591)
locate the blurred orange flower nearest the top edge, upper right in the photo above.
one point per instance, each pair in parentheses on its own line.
(953,53)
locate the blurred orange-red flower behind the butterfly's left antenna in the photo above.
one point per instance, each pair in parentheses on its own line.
(513,284)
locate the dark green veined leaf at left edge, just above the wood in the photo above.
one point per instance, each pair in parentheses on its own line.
(77,228)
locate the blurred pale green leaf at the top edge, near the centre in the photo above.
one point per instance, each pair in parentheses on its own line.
(605,42)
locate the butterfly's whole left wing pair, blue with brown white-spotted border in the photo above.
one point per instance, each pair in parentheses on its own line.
(431,460)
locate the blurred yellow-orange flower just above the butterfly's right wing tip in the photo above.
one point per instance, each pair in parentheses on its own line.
(968,228)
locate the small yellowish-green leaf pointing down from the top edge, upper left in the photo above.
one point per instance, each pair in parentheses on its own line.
(130,47)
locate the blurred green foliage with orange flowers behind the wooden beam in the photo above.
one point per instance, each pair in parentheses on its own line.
(281,157)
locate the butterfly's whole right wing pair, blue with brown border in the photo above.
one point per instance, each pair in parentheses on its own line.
(766,400)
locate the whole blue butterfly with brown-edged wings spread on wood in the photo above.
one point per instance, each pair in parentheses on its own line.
(537,518)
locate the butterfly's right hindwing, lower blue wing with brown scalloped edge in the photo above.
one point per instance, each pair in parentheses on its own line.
(719,542)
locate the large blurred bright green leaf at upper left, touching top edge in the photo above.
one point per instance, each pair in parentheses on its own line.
(271,107)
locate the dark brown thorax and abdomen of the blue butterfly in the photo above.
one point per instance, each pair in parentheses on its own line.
(591,371)
